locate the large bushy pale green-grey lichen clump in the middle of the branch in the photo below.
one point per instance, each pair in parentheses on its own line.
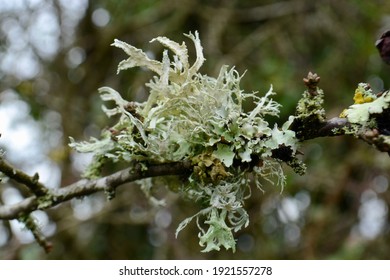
(191,116)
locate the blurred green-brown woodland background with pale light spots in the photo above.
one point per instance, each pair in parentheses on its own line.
(55,54)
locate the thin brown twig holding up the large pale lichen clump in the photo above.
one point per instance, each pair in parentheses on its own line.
(309,122)
